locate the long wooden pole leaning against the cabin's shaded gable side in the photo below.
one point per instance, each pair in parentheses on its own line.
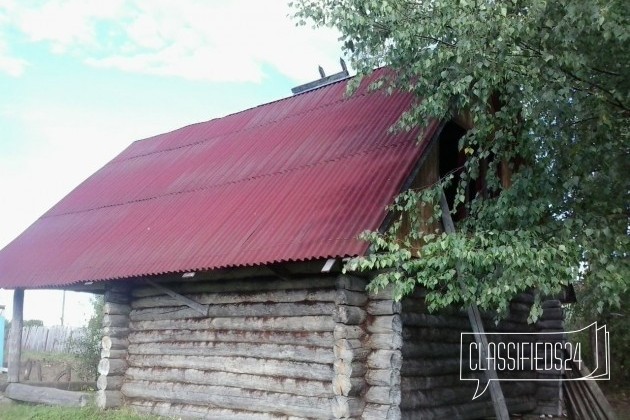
(498,400)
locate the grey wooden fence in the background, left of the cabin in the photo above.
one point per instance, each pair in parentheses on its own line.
(55,339)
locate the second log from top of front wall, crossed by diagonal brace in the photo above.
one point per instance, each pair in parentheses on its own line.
(273,296)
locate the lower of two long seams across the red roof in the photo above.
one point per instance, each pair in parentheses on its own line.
(207,187)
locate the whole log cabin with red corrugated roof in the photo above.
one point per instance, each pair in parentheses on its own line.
(219,249)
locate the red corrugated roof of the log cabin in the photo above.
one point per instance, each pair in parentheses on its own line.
(291,180)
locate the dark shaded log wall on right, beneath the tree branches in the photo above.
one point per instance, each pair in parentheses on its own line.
(430,373)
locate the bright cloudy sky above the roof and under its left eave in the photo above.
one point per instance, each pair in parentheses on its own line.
(82,79)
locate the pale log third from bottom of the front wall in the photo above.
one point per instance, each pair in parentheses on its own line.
(284,385)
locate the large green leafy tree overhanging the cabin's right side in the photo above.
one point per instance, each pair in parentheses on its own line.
(545,87)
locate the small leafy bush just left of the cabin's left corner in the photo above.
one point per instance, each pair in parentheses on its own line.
(88,347)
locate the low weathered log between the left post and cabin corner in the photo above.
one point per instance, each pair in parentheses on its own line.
(48,396)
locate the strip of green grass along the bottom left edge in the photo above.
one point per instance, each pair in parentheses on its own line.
(33,412)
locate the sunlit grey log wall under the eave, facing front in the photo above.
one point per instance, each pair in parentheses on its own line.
(267,348)
